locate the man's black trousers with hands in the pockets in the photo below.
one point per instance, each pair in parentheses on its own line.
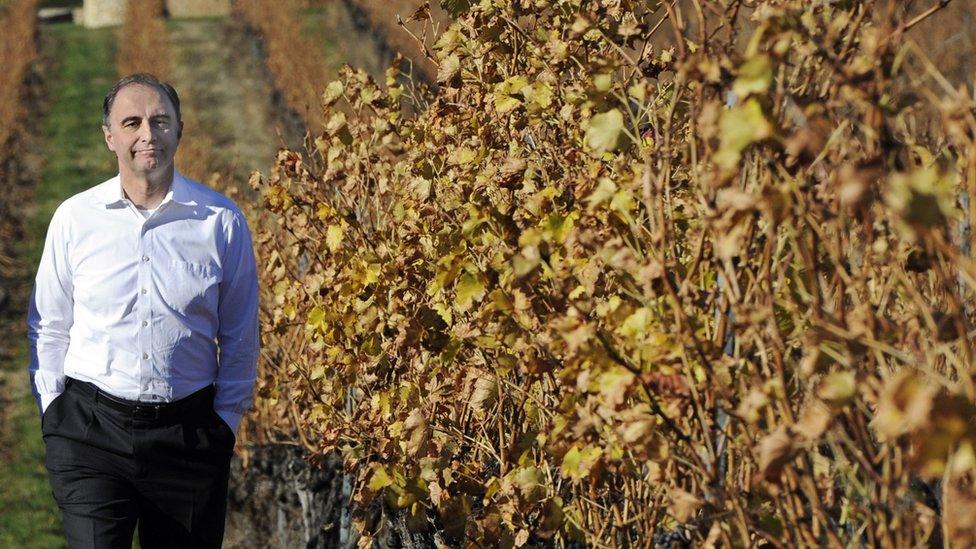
(111,468)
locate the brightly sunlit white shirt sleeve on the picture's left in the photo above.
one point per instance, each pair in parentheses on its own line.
(50,313)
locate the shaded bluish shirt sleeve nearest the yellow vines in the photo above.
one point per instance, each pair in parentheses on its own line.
(238,334)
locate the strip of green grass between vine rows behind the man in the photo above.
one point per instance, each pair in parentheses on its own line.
(74,157)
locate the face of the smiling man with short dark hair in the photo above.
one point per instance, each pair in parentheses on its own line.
(142,131)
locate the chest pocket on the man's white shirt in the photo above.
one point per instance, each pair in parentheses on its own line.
(191,289)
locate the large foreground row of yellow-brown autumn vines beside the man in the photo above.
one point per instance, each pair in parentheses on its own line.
(637,271)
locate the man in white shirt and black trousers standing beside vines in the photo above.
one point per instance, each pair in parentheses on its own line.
(144,338)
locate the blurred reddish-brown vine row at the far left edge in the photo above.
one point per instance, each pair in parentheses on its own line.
(18,53)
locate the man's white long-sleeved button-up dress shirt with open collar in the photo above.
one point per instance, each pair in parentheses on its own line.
(148,306)
